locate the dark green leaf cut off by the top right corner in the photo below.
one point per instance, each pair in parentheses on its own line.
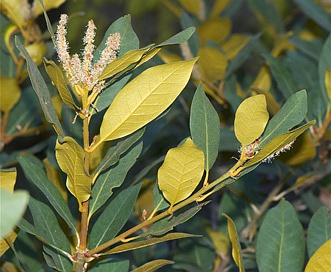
(316,12)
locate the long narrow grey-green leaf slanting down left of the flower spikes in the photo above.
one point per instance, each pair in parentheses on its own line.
(41,89)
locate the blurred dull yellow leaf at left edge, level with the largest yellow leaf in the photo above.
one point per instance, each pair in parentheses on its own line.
(10,93)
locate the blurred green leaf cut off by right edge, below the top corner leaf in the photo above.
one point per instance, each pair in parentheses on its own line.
(324,65)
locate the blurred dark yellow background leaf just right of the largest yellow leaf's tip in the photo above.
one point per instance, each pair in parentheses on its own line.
(212,63)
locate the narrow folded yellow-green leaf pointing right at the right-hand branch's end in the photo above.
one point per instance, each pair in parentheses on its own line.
(277,143)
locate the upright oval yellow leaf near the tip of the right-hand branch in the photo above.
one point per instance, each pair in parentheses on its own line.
(250,119)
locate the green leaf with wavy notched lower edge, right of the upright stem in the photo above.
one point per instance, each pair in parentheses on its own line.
(113,178)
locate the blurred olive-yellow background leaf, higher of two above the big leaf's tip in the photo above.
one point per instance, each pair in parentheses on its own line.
(215,29)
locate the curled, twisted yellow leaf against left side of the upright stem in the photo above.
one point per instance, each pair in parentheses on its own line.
(70,157)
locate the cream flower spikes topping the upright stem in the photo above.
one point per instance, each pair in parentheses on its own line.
(82,71)
